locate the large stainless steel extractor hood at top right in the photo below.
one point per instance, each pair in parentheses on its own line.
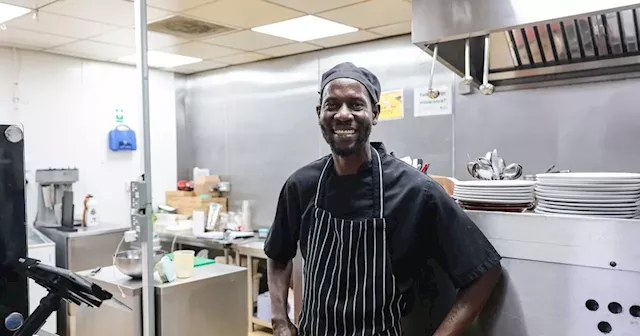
(533,43)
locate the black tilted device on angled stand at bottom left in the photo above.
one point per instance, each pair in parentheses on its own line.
(62,284)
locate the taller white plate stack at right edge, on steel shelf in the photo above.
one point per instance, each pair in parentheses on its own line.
(610,195)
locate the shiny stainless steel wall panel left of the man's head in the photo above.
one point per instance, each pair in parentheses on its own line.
(256,124)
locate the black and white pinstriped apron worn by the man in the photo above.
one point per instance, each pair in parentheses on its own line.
(349,287)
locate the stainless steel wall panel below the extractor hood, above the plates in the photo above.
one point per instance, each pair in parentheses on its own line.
(587,127)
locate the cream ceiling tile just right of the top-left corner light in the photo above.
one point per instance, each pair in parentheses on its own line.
(60,25)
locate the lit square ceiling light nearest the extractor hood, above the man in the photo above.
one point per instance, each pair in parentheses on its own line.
(305,28)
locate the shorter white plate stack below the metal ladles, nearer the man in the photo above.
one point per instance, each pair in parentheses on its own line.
(502,195)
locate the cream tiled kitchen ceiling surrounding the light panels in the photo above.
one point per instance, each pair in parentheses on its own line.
(104,29)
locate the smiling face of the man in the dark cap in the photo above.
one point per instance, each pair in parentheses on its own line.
(346,116)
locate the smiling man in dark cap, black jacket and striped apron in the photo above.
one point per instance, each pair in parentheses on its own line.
(366,224)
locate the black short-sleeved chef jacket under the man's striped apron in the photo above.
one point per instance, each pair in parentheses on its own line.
(423,222)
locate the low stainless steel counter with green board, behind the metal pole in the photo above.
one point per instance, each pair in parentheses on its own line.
(212,301)
